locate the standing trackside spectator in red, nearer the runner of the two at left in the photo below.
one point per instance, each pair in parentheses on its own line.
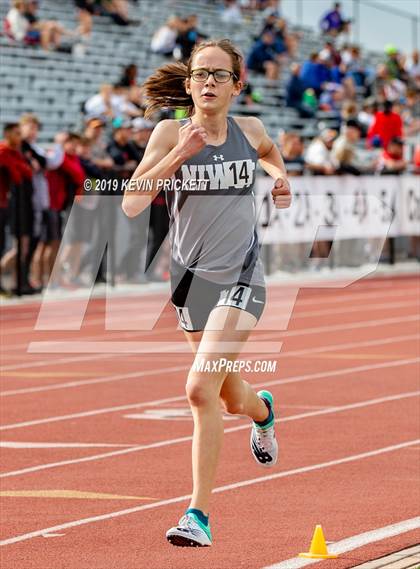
(65,183)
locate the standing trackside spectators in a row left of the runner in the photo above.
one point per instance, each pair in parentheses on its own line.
(40,187)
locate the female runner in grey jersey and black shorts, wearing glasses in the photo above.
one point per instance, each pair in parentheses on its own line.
(217,278)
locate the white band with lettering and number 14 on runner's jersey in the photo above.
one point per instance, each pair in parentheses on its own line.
(235,174)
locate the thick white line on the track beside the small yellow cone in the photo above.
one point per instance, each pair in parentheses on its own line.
(354,542)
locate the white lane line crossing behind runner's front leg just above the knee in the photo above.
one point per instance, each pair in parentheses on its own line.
(121,377)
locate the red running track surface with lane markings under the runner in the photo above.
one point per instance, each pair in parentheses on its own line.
(102,467)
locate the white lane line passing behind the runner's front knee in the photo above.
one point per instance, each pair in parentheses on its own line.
(292,379)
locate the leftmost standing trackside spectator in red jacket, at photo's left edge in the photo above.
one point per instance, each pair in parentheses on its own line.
(15,176)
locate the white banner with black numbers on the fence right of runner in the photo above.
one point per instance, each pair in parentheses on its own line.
(345,207)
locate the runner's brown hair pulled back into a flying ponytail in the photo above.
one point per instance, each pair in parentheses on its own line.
(166,87)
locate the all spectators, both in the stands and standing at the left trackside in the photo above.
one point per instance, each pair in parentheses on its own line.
(375,110)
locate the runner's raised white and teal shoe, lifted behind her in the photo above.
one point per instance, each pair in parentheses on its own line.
(263,441)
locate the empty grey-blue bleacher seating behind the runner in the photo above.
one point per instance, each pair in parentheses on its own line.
(54,85)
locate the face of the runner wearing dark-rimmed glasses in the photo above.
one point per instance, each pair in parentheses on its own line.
(209,95)
